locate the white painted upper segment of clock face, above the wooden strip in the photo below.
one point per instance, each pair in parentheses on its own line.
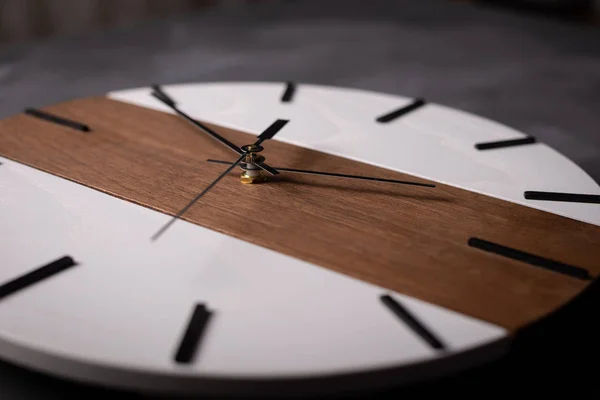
(434,142)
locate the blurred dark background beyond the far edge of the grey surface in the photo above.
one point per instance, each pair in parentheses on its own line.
(26,19)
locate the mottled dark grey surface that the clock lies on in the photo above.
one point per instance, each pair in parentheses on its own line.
(538,76)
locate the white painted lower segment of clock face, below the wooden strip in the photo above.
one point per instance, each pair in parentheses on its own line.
(126,304)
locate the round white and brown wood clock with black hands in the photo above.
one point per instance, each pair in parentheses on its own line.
(324,238)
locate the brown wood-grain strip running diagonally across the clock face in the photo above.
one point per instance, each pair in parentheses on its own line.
(405,238)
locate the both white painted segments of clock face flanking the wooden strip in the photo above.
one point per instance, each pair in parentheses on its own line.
(119,315)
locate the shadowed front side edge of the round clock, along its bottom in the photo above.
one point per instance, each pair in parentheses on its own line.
(118,378)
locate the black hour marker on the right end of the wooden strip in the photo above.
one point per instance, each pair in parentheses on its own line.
(570,270)
